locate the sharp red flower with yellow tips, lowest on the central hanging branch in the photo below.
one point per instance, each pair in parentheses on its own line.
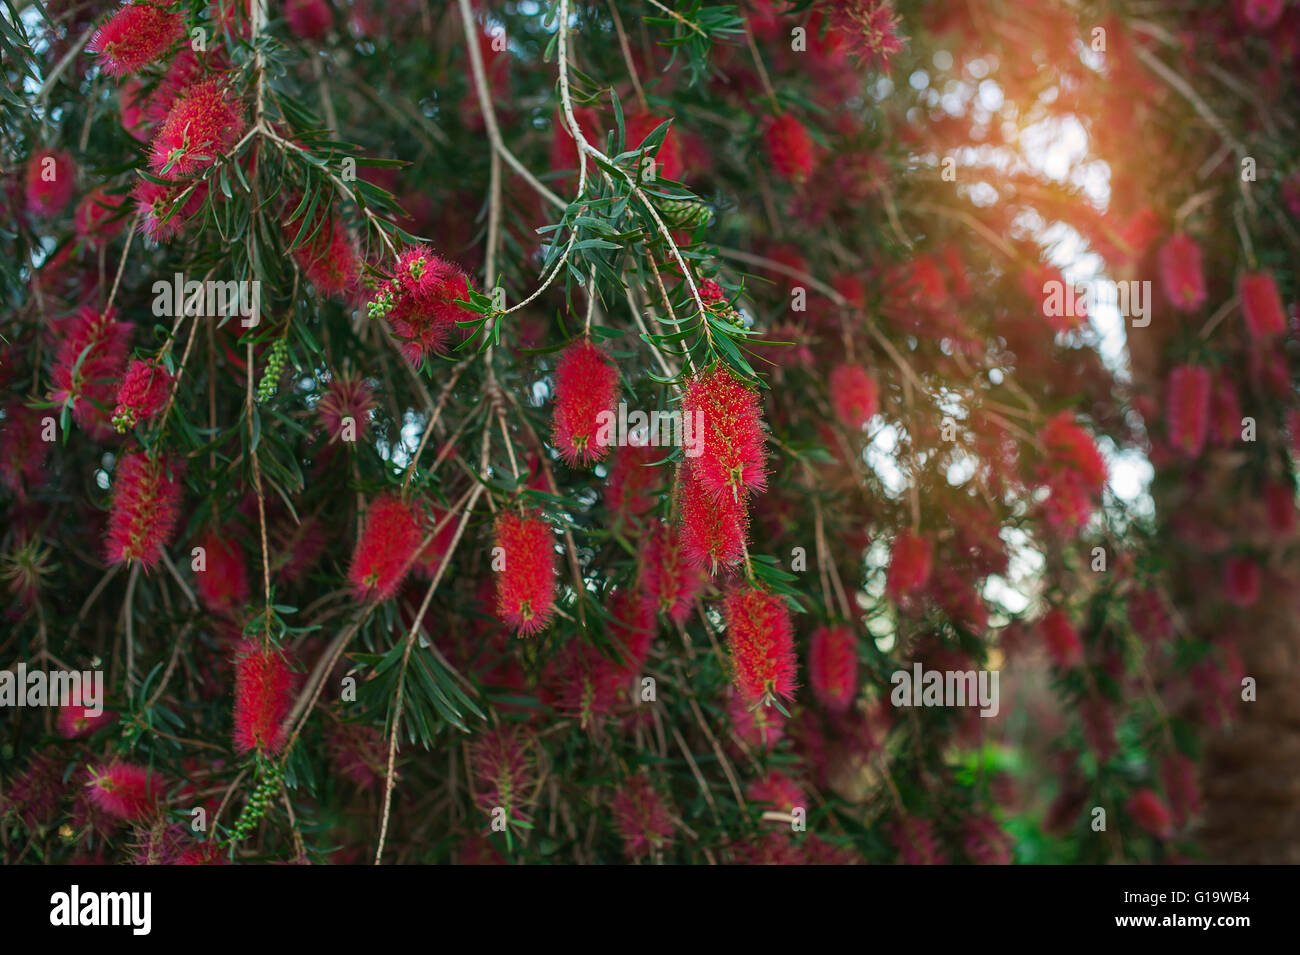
(761,641)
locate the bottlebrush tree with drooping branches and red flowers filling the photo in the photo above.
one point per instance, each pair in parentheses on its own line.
(335,332)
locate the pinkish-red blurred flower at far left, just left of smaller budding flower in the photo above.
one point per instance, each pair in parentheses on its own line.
(92,381)
